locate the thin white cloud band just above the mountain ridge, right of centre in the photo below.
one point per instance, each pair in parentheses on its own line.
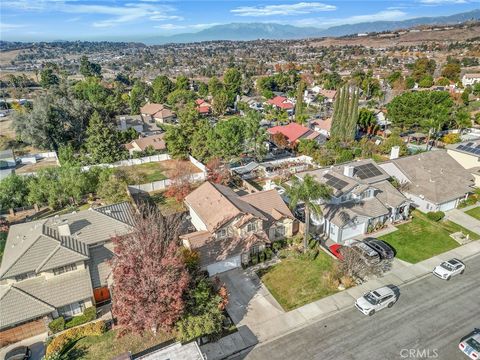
(385,15)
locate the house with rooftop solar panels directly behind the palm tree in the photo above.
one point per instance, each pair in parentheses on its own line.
(362,199)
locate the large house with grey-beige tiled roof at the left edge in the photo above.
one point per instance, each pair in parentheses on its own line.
(57,267)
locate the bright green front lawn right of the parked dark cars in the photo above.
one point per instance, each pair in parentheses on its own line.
(422,238)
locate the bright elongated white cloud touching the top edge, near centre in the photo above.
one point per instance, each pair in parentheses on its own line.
(284,9)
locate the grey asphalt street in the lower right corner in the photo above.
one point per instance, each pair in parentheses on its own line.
(427,322)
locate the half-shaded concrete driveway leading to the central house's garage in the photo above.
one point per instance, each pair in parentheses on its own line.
(250,303)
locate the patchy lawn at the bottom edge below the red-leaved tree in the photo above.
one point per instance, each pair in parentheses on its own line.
(107,346)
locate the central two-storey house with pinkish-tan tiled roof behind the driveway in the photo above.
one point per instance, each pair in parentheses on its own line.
(230,227)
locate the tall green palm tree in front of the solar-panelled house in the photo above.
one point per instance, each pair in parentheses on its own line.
(308,191)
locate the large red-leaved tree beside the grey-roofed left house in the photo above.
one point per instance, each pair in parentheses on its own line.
(149,274)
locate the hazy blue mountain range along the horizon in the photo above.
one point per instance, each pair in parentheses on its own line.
(255,31)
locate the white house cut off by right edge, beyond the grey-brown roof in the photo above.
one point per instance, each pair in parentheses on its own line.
(467,154)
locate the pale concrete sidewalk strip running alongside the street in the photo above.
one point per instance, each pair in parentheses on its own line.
(282,323)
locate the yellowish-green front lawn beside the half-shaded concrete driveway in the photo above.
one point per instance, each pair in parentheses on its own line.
(296,281)
